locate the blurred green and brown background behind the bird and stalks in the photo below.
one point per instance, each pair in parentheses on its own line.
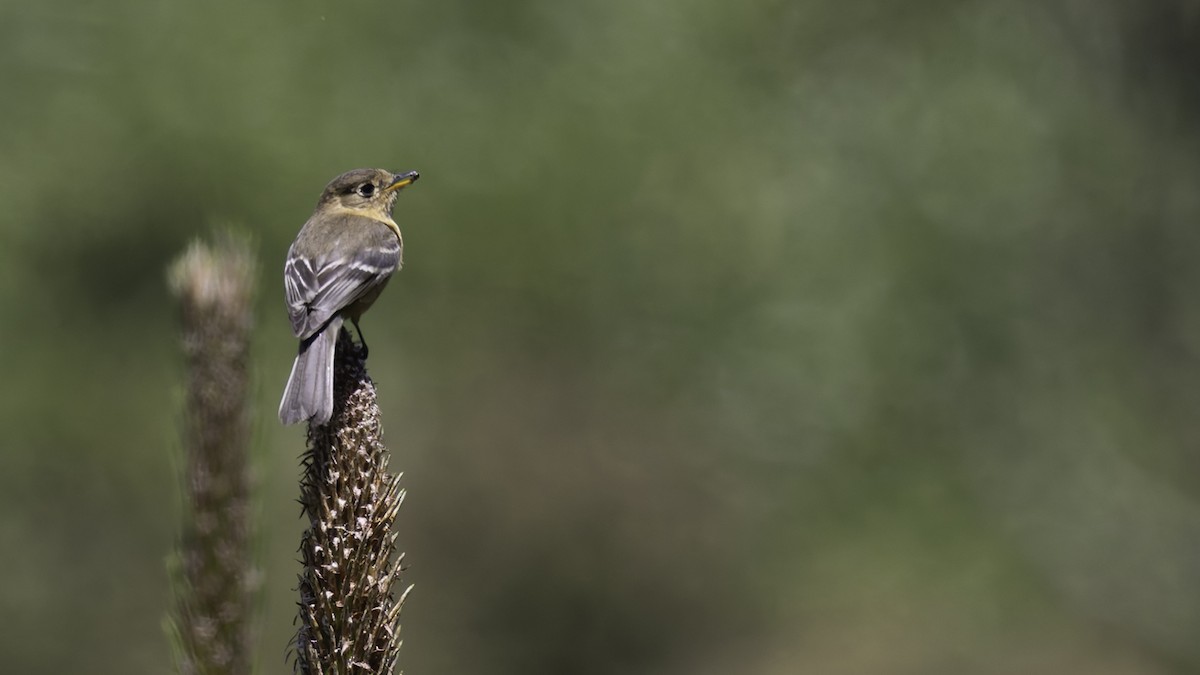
(764,337)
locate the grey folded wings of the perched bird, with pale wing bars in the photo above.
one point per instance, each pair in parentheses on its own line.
(317,289)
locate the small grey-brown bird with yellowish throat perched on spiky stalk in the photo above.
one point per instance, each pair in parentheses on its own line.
(337,268)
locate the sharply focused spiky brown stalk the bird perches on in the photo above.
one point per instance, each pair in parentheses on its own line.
(350,589)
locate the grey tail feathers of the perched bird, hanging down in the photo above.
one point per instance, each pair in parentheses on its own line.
(310,391)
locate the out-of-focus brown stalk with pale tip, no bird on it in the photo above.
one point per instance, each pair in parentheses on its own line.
(215,583)
